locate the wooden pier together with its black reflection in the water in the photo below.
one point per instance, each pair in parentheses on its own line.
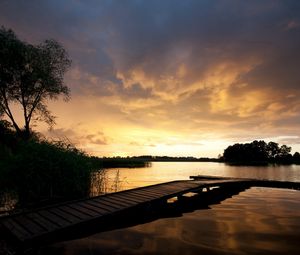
(122,209)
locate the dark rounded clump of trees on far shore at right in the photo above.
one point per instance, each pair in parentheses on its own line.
(260,153)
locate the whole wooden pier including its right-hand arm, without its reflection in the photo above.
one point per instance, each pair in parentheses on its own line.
(31,227)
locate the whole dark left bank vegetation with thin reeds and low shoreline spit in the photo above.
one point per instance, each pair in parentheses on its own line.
(36,171)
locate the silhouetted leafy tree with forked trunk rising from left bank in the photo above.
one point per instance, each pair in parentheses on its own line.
(29,76)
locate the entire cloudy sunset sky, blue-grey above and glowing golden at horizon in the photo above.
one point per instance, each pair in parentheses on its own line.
(170,77)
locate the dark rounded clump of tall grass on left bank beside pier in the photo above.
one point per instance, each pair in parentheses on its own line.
(42,172)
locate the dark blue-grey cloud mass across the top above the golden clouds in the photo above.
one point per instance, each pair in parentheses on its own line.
(156,36)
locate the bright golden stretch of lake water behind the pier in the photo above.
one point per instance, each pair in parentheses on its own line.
(126,178)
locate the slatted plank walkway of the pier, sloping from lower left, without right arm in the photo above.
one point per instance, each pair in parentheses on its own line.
(30,225)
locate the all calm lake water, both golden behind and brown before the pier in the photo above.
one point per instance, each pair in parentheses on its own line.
(256,221)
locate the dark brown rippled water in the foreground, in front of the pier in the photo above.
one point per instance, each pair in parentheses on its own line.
(257,221)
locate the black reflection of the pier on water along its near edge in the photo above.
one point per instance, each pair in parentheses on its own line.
(153,212)
